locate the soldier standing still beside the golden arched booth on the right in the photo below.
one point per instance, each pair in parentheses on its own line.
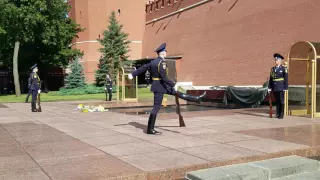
(278,83)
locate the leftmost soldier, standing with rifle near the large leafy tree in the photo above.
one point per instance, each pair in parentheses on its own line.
(35,86)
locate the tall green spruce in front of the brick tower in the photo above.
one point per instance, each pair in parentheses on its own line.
(114,51)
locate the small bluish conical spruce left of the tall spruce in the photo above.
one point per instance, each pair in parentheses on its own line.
(76,78)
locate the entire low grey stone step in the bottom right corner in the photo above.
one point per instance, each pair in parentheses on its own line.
(260,170)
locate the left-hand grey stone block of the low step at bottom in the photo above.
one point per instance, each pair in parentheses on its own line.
(232,172)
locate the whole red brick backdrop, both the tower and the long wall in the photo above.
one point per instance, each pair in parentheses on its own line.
(219,42)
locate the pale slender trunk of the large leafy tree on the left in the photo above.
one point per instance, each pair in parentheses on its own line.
(15,69)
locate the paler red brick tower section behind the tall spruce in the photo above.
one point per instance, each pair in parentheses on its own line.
(94,16)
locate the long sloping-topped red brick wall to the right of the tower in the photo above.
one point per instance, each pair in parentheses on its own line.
(230,42)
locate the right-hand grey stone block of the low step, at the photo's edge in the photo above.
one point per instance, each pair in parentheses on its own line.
(286,166)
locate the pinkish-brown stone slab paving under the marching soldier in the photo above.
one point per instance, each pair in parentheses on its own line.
(63,144)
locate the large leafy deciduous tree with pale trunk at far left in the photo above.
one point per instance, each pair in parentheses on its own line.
(39,31)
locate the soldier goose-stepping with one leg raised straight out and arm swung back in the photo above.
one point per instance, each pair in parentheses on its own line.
(161,85)
